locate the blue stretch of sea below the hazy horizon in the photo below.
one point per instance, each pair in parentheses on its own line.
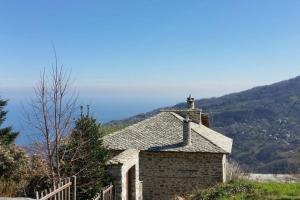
(103,109)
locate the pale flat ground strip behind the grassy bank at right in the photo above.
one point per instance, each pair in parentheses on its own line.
(275,177)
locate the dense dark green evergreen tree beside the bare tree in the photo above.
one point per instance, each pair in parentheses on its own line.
(85,157)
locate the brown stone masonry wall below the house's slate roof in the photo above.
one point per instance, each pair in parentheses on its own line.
(166,174)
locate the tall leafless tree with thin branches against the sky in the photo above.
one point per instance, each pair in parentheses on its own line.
(51,114)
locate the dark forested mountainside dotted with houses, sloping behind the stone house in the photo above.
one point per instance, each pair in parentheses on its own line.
(264,123)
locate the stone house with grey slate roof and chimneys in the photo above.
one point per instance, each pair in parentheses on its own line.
(168,154)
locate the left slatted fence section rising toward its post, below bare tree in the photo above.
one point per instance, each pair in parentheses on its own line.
(64,189)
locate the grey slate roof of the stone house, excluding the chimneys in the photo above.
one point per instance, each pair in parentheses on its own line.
(164,132)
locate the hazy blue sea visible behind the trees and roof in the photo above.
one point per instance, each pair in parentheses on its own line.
(104,111)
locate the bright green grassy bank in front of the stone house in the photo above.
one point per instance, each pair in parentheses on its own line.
(249,190)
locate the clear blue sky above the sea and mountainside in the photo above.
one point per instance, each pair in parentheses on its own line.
(150,49)
